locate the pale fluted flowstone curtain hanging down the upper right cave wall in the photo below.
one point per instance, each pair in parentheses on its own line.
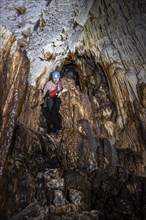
(120,53)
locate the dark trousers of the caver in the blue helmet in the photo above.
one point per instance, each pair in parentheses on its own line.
(53,104)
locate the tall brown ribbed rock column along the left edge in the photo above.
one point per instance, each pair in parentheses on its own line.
(13,76)
